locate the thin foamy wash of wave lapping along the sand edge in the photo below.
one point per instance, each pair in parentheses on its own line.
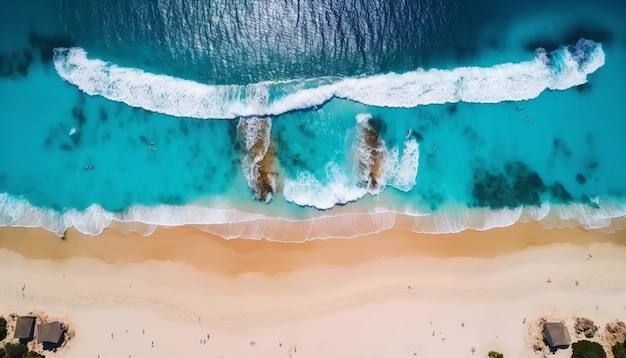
(342,222)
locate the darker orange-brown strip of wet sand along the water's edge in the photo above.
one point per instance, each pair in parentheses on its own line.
(208,252)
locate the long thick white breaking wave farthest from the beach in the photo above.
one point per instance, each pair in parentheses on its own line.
(558,70)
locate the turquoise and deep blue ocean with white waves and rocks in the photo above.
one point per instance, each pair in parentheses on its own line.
(339,118)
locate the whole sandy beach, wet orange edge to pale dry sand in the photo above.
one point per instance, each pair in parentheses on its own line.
(393,294)
